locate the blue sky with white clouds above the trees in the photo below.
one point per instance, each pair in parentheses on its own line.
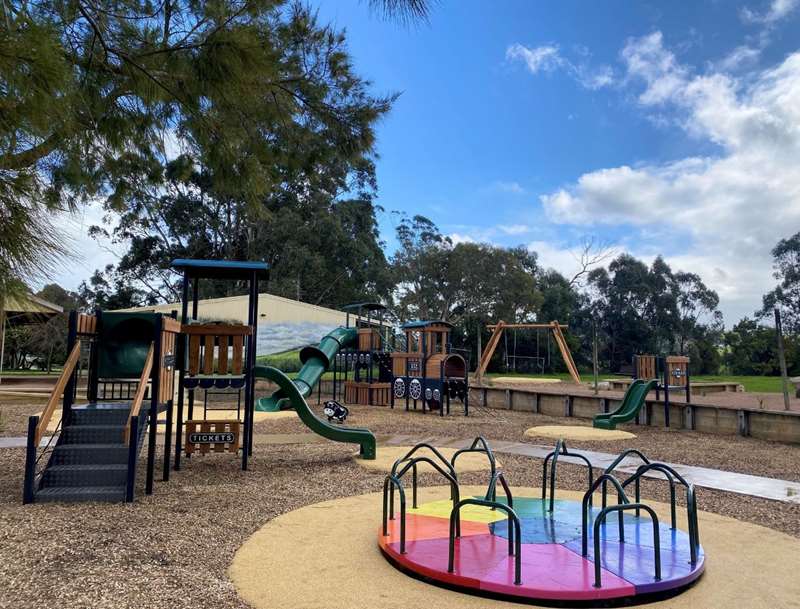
(657,128)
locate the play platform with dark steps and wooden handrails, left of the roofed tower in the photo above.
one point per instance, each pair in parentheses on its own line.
(90,452)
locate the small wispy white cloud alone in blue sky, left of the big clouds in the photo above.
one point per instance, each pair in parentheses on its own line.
(548,58)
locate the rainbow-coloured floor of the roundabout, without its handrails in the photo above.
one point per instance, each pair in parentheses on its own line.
(552,565)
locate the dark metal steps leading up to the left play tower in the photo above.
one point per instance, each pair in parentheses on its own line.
(90,460)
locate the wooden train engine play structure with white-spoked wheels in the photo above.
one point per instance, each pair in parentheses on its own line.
(427,371)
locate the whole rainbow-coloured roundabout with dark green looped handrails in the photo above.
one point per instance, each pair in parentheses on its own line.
(544,548)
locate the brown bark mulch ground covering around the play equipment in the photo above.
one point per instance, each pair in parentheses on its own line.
(172,549)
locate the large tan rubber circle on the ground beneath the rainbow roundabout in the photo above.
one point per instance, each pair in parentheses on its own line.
(325,556)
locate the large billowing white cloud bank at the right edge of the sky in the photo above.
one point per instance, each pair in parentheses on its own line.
(729,210)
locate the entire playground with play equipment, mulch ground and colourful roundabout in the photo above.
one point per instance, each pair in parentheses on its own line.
(174,459)
